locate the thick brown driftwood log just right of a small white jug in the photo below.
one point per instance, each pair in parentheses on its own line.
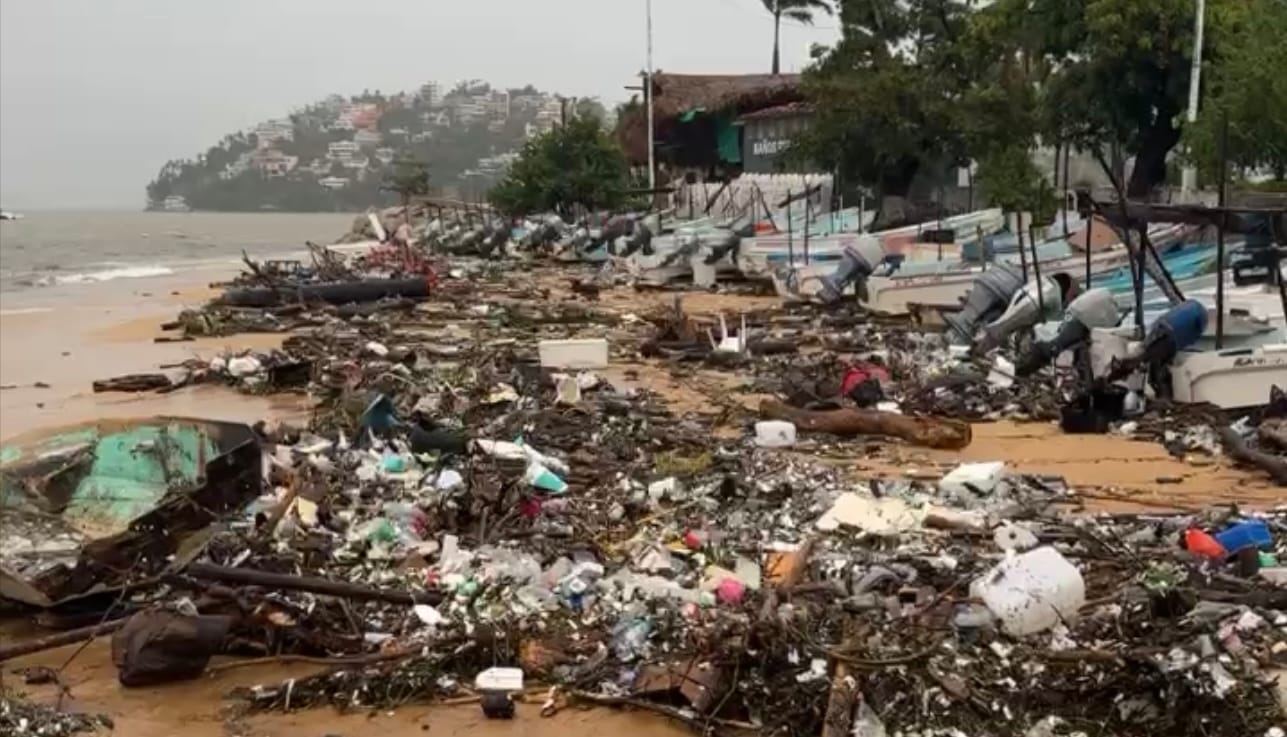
(925,432)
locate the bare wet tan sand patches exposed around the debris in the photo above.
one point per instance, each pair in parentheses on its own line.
(109,331)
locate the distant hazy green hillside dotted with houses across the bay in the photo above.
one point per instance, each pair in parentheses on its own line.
(334,155)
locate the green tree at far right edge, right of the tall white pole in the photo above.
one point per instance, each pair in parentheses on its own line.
(1248,87)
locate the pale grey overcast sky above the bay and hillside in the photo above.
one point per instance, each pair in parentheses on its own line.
(97,95)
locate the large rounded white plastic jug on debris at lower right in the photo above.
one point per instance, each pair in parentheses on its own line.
(1033,592)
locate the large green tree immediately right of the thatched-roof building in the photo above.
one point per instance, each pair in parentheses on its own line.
(889,96)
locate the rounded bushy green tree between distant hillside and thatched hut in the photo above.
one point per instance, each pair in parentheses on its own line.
(571,167)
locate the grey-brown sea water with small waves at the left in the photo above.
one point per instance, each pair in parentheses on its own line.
(68,250)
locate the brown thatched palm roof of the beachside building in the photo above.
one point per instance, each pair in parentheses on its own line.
(678,95)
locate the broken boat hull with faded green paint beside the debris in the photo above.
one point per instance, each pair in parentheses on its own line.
(82,507)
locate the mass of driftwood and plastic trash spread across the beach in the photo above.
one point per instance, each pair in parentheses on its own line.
(496,479)
